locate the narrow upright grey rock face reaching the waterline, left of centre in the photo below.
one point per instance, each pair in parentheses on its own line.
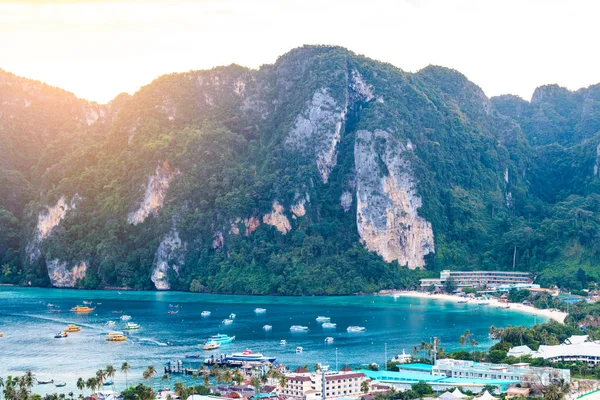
(169,256)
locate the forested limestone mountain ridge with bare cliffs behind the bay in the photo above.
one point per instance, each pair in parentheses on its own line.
(325,173)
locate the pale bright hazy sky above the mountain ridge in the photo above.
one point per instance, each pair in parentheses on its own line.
(100,48)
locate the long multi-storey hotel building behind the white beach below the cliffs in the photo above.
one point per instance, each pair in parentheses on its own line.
(476,279)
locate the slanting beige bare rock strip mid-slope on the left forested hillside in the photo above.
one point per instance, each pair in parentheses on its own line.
(155,193)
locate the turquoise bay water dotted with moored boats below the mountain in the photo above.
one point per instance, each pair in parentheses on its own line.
(402,323)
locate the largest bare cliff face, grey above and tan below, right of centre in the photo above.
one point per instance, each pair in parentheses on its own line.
(387,202)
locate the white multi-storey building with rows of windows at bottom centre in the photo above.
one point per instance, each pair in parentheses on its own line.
(302,384)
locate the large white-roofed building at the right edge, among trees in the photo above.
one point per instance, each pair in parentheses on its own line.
(575,348)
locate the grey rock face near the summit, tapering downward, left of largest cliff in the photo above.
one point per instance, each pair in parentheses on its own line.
(319,127)
